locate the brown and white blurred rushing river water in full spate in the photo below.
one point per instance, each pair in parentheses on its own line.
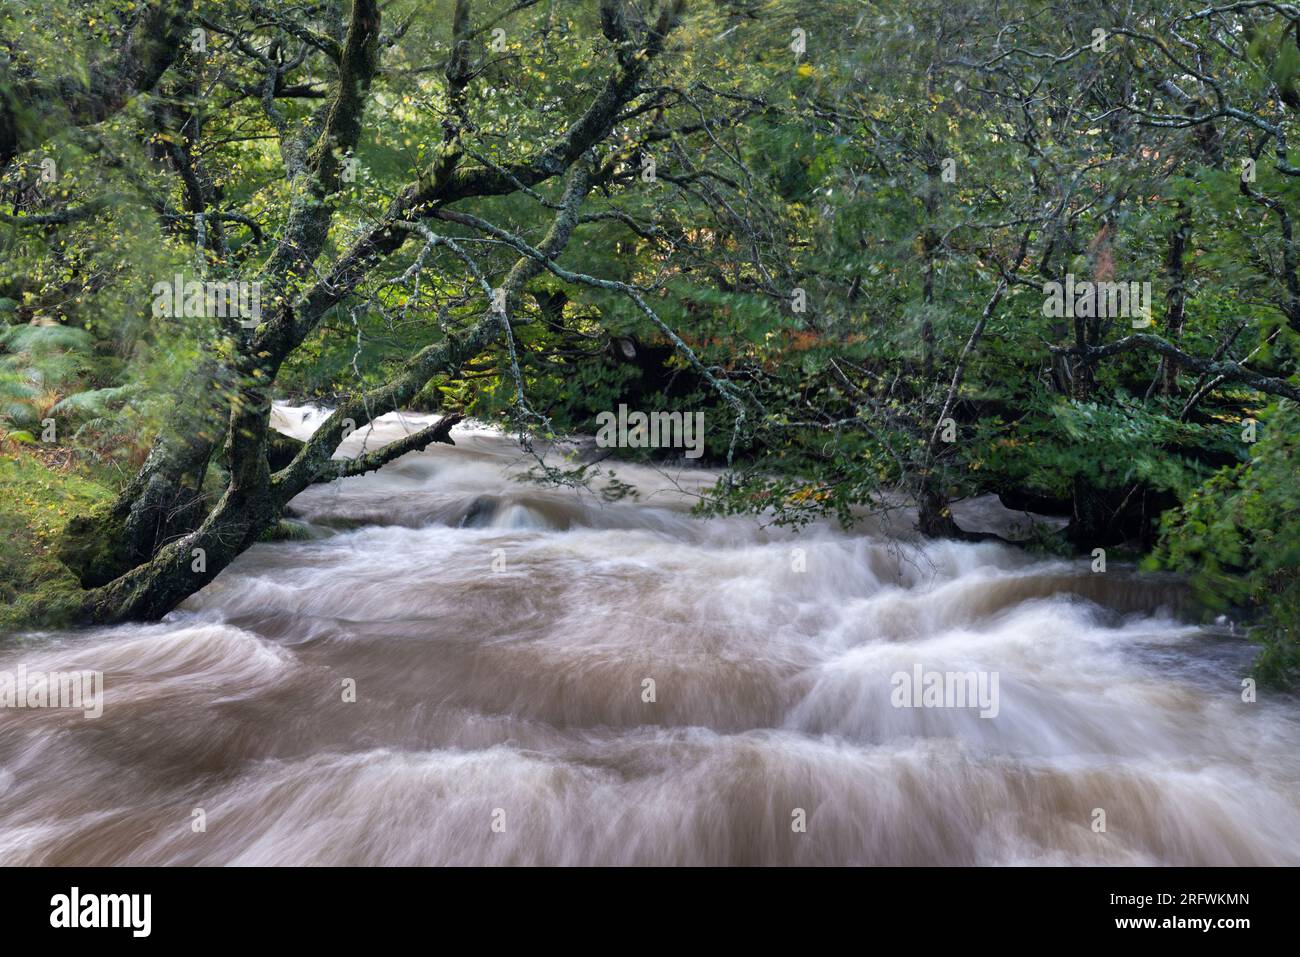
(501,635)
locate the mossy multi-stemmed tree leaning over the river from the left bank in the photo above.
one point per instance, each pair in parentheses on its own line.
(317,246)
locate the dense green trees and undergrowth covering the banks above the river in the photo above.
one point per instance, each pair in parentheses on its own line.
(831,227)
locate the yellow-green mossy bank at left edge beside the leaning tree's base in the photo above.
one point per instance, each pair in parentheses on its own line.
(36,588)
